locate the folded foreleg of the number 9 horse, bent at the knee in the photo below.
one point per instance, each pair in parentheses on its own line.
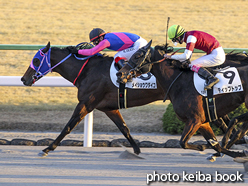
(188,131)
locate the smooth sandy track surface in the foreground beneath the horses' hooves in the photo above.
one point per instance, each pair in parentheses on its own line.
(105,166)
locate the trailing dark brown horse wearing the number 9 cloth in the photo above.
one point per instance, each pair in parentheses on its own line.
(188,104)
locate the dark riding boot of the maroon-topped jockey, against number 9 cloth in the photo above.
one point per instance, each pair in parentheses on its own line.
(211,80)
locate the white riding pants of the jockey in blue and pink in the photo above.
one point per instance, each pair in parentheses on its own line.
(127,53)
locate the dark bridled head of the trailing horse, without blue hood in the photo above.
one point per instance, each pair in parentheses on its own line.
(135,64)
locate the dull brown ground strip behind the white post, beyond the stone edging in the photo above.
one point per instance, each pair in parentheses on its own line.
(147,118)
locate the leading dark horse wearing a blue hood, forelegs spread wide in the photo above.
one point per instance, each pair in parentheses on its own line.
(95,89)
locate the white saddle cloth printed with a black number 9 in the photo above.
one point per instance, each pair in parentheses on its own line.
(229,82)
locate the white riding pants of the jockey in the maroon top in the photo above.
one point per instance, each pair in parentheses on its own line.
(215,58)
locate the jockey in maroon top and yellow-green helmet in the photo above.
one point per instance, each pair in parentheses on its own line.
(203,41)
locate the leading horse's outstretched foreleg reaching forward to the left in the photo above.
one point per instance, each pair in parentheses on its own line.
(79,113)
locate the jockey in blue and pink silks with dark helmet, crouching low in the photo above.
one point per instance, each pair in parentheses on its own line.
(125,43)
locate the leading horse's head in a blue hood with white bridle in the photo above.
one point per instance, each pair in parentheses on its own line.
(39,66)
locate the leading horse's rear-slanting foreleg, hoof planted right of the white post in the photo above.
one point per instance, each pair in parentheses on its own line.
(116,117)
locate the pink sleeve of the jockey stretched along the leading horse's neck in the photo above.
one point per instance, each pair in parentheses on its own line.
(98,48)
